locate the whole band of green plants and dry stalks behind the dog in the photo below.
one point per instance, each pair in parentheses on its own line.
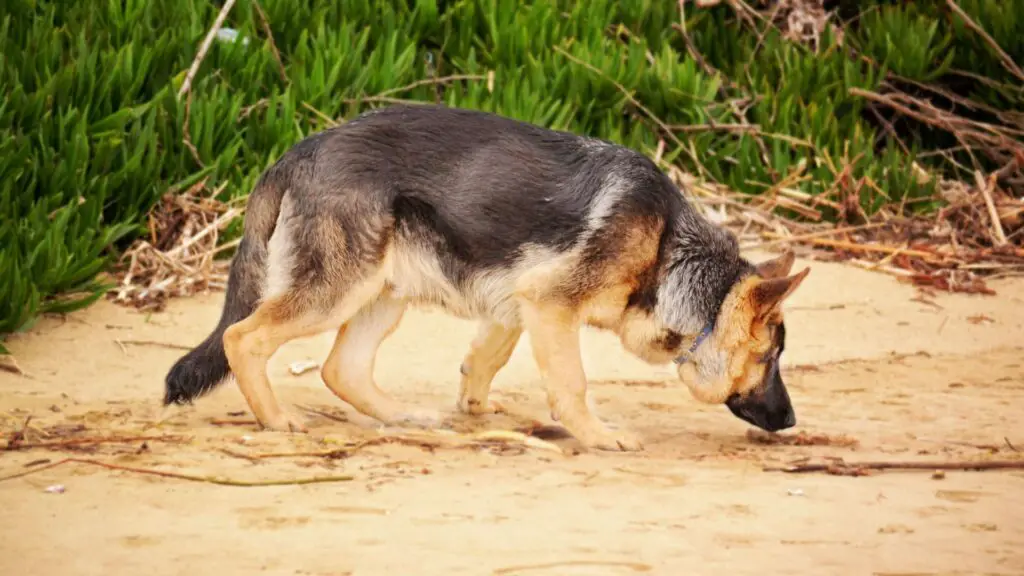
(848,122)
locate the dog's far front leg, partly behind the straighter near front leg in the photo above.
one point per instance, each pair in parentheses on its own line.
(489,353)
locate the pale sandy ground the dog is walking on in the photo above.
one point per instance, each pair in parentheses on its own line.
(909,380)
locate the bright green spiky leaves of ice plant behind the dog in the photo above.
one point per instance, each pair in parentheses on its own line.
(93,133)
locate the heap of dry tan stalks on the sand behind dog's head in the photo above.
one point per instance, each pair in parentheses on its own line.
(952,252)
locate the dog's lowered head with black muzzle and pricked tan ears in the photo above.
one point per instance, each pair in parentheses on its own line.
(737,362)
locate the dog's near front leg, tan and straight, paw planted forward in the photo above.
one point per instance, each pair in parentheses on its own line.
(554,336)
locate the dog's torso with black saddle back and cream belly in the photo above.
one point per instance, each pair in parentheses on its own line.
(464,204)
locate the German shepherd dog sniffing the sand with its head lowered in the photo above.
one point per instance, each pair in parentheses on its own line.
(525,229)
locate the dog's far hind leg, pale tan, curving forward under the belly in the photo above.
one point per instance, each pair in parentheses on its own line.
(349,371)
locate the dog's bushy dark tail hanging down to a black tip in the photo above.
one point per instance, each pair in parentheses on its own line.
(206,366)
